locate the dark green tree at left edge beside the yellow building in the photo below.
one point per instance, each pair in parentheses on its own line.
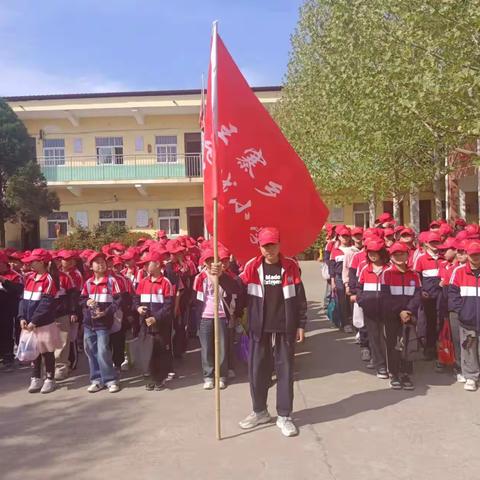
(24,196)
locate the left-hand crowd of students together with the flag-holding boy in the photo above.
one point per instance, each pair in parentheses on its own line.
(156,294)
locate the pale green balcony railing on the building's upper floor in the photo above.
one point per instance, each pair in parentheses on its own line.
(121,167)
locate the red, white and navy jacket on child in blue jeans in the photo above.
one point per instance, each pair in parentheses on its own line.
(106,292)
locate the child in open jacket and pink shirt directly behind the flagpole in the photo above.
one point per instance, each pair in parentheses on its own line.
(229,288)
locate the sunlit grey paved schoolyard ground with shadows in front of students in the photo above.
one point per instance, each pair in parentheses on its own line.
(352,425)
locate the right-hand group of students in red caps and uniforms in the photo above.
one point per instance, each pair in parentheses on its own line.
(397,291)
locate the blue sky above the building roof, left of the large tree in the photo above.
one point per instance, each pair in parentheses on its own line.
(68,46)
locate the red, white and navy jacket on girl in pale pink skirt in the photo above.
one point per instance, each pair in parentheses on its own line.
(38,303)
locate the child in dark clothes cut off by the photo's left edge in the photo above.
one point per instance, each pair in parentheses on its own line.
(11,288)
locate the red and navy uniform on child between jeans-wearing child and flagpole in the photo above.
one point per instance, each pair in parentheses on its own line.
(156,294)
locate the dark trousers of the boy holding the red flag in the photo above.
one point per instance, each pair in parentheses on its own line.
(274,351)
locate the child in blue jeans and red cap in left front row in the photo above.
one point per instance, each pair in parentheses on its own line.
(101,298)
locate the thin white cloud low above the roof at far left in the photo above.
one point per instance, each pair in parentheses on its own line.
(18,79)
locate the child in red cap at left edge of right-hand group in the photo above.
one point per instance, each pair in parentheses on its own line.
(337,257)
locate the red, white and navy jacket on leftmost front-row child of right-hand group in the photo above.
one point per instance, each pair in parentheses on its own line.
(369,291)
